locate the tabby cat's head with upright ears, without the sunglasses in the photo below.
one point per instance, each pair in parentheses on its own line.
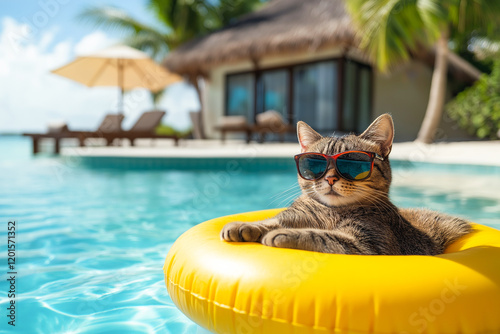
(333,190)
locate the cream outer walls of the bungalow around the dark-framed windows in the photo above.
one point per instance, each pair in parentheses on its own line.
(403,93)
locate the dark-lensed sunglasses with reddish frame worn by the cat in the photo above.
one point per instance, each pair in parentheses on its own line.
(350,165)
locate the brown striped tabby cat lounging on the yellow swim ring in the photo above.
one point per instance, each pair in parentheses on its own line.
(337,215)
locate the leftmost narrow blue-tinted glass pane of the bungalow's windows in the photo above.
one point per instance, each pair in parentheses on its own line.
(240,95)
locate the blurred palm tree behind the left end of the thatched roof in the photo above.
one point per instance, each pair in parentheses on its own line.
(177,21)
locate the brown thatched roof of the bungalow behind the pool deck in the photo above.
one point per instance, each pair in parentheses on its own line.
(281,26)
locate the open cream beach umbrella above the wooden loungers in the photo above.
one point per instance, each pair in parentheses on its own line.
(120,66)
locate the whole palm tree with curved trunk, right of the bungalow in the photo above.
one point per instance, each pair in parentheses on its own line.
(392,30)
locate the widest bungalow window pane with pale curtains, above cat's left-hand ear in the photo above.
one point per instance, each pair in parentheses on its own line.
(316,95)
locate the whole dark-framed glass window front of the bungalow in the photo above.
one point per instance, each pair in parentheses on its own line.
(330,95)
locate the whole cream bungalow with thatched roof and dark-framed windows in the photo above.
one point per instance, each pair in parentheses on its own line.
(301,58)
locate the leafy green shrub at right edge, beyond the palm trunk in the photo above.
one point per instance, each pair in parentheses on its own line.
(477,109)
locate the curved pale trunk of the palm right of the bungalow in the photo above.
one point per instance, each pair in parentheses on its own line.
(437,94)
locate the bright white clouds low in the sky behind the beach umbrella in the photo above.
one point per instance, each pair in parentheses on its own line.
(31,97)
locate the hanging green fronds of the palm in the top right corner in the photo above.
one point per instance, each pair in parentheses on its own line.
(391,29)
